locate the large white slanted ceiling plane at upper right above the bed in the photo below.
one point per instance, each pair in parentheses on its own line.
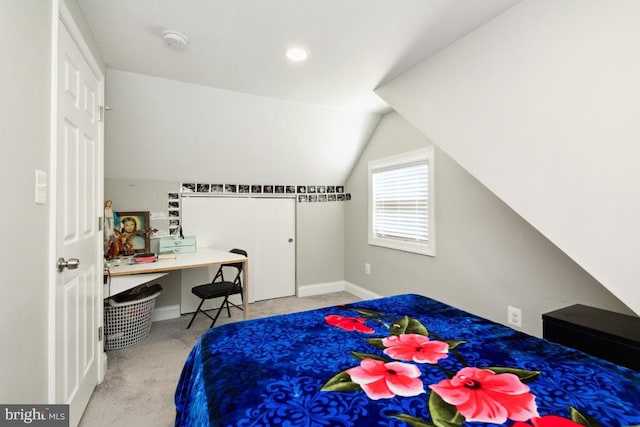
(540,105)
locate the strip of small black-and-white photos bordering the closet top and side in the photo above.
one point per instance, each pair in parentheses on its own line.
(302,193)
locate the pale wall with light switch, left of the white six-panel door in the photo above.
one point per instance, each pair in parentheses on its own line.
(24,108)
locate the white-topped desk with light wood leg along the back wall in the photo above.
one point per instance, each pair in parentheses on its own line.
(203,257)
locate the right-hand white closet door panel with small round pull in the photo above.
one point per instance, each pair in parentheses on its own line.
(275,248)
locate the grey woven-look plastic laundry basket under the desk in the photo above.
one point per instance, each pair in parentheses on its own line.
(127,323)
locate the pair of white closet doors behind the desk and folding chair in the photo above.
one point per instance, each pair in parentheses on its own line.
(262,227)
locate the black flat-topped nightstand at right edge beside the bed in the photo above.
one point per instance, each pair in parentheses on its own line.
(611,336)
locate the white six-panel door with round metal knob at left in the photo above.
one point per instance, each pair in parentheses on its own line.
(78,304)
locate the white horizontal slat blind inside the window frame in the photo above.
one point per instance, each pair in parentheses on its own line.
(401,201)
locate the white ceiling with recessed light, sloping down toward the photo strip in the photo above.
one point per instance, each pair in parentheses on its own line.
(238,47)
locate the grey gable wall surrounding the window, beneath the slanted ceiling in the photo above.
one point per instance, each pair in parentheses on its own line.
(488,257)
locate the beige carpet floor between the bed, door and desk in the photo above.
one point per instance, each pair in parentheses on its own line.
(141,379)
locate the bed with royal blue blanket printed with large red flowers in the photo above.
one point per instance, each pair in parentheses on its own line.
(405,360)
